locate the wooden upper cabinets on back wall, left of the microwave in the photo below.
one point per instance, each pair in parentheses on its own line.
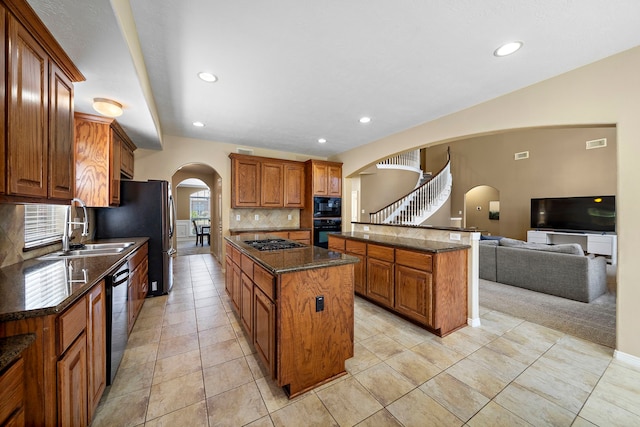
(261,182)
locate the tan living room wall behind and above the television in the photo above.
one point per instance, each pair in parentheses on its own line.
(559,165)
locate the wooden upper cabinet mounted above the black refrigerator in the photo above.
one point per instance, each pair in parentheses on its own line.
(103,153)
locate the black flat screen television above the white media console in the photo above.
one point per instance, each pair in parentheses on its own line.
(578,214)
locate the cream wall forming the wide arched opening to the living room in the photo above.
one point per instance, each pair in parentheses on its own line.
(606,91)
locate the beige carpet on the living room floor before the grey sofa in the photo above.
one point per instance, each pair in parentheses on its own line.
(595,322)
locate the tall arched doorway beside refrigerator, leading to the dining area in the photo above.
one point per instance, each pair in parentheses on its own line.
(197,193)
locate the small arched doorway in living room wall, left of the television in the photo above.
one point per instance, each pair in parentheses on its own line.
(482,209)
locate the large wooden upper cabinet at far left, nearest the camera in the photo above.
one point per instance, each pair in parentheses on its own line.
(36,131)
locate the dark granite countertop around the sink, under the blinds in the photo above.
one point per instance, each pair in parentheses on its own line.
(41,287)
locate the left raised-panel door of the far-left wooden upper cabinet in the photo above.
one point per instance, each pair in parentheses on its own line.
(27,114)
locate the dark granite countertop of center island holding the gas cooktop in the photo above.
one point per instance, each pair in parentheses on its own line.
(291,260)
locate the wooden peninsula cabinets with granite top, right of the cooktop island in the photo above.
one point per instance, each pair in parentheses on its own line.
(422,281)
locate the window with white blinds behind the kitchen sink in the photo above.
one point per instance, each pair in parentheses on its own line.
(43,224)
